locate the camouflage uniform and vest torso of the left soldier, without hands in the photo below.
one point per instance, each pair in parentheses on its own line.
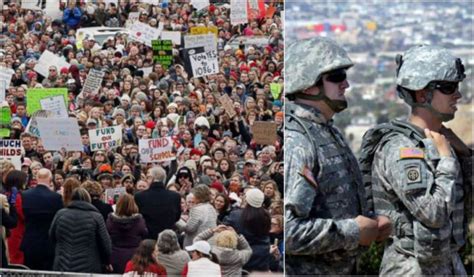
(324,193)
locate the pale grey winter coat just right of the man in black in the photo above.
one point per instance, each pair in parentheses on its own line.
(203,216)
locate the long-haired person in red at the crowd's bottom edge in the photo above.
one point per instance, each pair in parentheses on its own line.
(144,262)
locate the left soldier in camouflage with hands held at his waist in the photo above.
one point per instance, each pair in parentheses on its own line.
(325,210)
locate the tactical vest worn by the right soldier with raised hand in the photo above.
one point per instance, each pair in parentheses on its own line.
(411,236)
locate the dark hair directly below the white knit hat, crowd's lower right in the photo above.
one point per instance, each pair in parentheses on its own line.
(256,220)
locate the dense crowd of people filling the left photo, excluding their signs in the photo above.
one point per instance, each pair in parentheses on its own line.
(216,209)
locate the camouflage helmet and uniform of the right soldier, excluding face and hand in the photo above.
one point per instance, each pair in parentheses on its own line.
(421,192)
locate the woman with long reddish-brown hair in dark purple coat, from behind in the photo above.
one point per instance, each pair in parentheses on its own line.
(126,228)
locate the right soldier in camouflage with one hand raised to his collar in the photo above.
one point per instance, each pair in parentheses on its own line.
(420,180)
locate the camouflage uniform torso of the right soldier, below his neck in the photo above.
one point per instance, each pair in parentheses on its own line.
(422,194)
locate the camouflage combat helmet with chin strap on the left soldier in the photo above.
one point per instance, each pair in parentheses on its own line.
(305,63)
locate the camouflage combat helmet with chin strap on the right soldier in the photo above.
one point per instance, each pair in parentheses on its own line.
(422,66)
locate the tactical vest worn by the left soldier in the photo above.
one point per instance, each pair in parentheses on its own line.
(340,189)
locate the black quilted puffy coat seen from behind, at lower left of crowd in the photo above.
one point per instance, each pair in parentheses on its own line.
(82,243)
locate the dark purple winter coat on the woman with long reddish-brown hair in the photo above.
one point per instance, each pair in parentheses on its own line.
(126,234)
